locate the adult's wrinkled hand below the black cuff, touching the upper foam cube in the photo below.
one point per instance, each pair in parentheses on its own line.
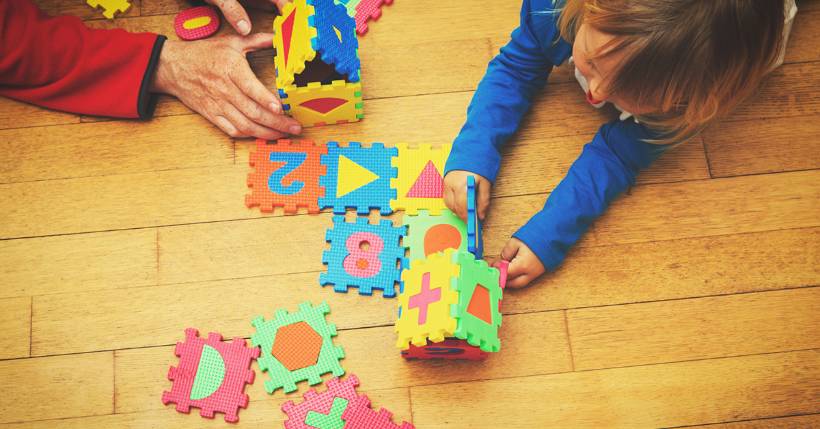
(213,78)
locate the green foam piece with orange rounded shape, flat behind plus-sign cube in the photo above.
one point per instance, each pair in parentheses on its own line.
(428,234)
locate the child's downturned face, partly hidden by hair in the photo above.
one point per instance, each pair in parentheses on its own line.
(597,71)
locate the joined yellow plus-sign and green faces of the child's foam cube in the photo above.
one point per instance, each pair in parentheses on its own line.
(449,295)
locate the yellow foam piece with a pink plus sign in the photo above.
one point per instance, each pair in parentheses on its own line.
(436,273)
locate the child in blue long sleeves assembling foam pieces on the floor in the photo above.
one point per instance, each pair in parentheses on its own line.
(671,67)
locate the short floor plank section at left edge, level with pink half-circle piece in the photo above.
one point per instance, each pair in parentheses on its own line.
(57,387)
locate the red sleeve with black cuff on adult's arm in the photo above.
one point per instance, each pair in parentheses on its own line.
(58,62)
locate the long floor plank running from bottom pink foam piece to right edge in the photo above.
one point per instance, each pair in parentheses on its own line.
(676,394)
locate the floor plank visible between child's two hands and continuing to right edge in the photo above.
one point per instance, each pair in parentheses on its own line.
(700,208)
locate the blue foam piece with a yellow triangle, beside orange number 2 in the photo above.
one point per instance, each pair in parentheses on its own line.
(373,195)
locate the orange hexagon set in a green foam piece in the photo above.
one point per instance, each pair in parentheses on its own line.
(297,346)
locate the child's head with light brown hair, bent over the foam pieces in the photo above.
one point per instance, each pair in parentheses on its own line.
(675,64)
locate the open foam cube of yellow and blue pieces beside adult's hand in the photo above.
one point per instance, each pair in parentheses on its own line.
(317,63)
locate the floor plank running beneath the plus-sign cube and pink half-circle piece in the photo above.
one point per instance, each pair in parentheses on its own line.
(531,344)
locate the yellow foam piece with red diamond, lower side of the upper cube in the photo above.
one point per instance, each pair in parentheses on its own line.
(316,104)
